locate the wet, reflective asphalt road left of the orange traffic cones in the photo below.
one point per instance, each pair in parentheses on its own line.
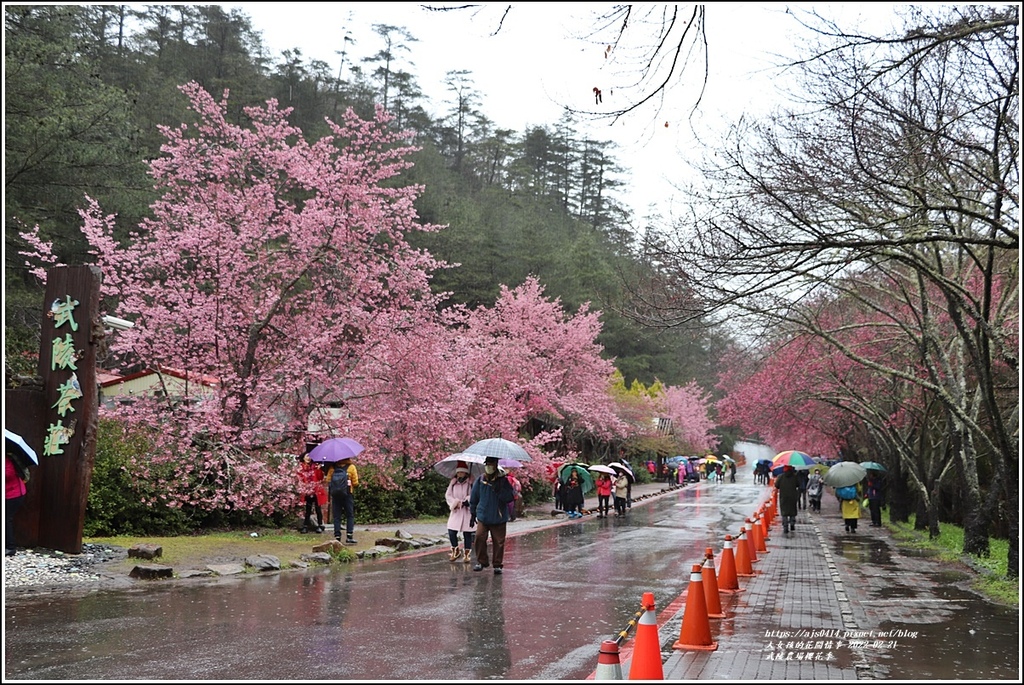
(566,589)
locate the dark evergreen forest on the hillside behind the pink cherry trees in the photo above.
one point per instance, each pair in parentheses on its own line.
(88,88)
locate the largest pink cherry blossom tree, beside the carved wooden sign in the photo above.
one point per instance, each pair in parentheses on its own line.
(278,267)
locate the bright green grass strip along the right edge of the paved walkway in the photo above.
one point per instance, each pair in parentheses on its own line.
(992,580)
